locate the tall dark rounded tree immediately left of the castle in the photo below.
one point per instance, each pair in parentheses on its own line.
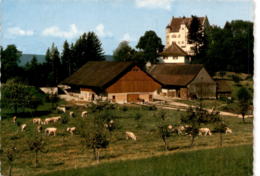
(151,45)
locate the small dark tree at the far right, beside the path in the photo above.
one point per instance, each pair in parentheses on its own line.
(244,99)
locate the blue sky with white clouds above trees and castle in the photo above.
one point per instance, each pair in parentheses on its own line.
(33,25)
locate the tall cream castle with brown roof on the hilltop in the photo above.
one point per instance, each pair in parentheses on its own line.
(178,29)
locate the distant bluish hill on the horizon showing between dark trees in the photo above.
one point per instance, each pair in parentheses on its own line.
(41,58)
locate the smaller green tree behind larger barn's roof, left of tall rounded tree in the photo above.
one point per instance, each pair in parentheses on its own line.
(123,52)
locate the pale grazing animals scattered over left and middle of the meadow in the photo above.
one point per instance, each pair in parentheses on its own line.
(53,130)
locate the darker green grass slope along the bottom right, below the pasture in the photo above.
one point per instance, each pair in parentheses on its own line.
(236,160)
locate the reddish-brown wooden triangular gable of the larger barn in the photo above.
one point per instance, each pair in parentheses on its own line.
(134,81)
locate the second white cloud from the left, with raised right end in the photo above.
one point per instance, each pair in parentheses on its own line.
(55,31)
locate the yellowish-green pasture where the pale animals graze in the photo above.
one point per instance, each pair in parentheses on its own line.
(67,152)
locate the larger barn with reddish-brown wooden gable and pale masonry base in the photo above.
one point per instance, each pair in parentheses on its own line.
(119,82)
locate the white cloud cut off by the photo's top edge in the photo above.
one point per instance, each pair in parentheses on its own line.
(152,4)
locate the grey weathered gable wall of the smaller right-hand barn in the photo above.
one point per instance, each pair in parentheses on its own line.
(203,86)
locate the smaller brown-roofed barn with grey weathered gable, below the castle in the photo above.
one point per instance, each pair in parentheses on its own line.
(186,81)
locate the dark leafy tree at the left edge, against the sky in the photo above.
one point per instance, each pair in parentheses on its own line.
(10,57)
